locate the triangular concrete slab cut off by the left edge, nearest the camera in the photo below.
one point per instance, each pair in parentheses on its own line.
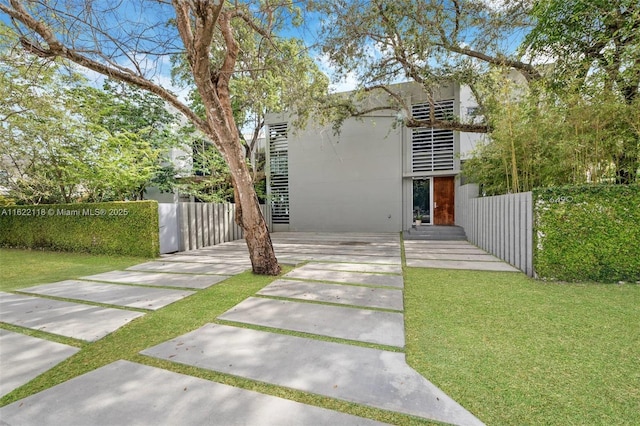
(23,358)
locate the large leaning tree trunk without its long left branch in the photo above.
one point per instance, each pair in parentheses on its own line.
(213,86)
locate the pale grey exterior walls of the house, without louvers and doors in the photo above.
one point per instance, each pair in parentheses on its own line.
(361,180)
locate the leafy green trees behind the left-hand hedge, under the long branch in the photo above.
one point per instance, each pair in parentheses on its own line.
(63,141)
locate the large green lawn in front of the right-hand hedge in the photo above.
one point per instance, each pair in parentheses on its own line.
(518,351)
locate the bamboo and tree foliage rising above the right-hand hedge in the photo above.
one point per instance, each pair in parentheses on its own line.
(580,122)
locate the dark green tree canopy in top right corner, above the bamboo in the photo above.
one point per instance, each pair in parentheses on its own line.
(584,39)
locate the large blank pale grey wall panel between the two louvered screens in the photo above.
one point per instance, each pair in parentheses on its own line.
(347,182)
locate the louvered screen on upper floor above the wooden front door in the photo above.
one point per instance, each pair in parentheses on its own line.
(432,149)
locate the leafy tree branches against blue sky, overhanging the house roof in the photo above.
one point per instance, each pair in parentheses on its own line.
(429,42)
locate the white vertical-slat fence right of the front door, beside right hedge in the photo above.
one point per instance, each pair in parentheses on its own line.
(502,225)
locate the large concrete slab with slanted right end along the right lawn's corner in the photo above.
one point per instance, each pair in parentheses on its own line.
(366,376)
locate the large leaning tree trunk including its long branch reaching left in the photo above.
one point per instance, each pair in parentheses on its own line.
(196,20)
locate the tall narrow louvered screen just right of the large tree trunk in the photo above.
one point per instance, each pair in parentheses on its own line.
(279,173)
